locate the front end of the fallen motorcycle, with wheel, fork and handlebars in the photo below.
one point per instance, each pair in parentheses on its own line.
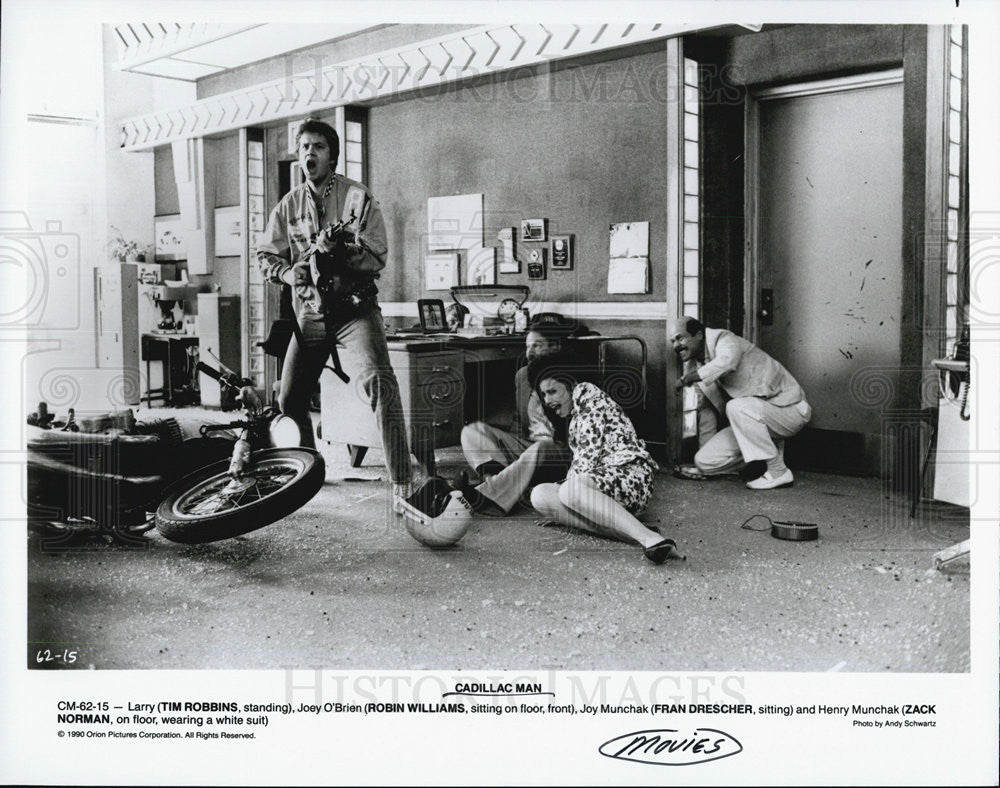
(267,477)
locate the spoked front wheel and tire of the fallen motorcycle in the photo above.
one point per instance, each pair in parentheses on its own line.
(209,505)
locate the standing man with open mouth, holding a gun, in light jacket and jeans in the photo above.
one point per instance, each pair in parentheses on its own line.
(326,240)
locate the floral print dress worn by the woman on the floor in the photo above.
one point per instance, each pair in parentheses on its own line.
(600,434)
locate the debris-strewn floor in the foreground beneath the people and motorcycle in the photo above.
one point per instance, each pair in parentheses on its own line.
(340,584)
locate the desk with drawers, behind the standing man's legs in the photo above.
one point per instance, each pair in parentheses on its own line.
(443,384)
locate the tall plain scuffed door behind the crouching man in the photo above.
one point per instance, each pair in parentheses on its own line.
(829,208)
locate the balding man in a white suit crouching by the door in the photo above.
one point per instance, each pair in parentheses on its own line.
(760,398)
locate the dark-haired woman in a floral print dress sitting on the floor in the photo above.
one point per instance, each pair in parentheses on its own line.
(611,476)
